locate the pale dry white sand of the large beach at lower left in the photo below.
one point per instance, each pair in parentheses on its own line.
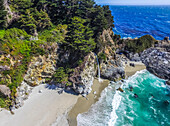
(41,109)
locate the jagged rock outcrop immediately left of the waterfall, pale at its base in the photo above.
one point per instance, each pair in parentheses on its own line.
(83,76)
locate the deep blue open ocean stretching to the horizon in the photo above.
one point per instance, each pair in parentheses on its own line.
(136,21)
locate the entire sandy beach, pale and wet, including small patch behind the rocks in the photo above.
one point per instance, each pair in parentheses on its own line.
(50,109)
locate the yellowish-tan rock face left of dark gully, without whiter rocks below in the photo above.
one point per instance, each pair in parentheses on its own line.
(41,67)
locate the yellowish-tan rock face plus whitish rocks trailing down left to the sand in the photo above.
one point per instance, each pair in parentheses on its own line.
(39,70)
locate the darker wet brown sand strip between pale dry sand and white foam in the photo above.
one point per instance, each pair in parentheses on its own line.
(83,104)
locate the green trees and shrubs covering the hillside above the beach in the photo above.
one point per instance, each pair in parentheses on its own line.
(28,27)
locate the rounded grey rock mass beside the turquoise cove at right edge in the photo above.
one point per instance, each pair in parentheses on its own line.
(157,62)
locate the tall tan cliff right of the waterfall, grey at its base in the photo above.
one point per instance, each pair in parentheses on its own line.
(111,65)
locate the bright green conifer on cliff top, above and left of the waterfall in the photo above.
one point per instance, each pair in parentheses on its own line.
(80,36)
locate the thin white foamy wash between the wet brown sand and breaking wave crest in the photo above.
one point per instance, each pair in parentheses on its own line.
(98,114)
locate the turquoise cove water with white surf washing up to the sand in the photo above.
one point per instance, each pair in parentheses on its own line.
(122,109)
